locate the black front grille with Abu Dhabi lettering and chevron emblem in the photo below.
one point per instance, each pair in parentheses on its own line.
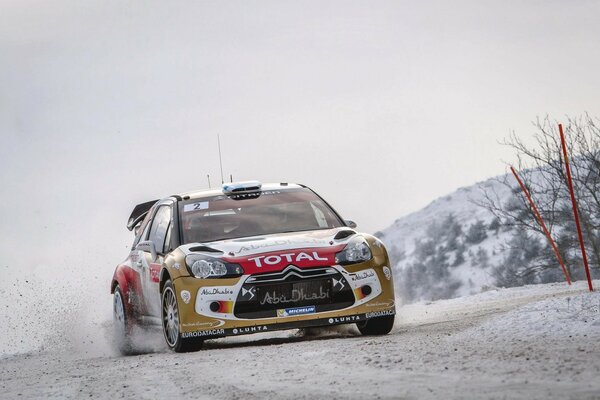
(262,295)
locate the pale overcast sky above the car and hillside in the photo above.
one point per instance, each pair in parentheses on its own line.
(379,106)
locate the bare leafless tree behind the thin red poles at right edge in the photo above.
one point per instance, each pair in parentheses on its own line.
(543,172)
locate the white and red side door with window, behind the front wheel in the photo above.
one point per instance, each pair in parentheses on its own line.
(159,233)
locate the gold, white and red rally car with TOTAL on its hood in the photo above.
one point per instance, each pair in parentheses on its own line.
(244,259)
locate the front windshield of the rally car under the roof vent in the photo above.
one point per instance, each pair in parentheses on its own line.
(253,214)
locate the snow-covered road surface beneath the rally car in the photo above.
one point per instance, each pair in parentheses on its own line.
(533,342)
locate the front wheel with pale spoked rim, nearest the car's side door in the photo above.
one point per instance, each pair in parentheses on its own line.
(170,323)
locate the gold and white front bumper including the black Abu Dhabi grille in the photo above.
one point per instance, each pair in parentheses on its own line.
(277,301)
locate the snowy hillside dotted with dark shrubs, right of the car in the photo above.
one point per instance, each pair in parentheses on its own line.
(455,247)
